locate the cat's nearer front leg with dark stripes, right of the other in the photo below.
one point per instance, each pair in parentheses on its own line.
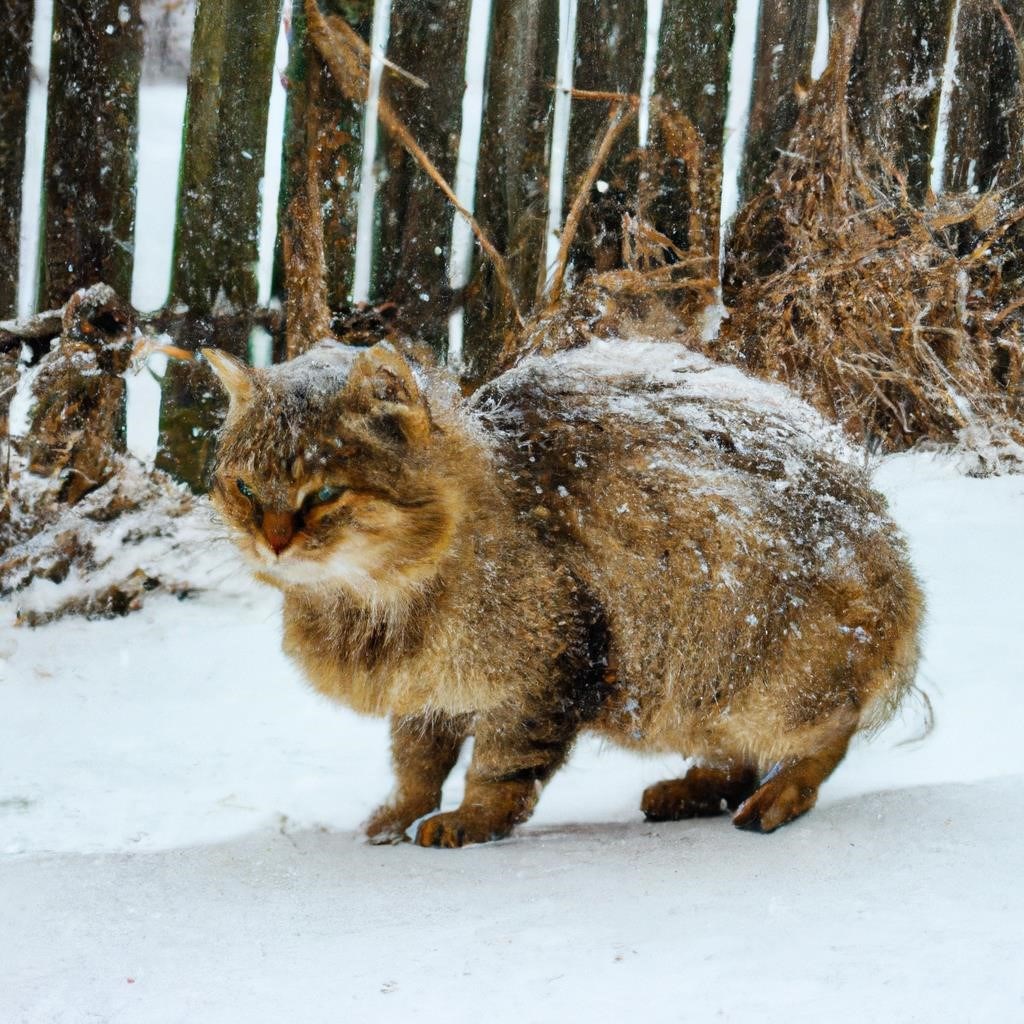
(513,760)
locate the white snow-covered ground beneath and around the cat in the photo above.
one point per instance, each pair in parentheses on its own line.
(179,832)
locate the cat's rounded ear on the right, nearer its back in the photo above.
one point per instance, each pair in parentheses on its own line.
(383,386)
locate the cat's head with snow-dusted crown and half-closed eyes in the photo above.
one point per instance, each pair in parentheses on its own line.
(331,472)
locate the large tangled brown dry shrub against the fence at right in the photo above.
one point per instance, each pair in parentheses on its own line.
(897,322)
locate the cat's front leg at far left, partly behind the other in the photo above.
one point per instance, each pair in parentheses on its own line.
(424,751)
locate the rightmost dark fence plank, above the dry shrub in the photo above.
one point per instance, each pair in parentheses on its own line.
(986,137)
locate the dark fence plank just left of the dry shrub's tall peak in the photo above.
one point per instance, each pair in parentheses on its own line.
(787,33)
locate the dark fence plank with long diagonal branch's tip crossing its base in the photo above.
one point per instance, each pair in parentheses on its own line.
(513,181)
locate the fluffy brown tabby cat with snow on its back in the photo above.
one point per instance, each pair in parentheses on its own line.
(626,538)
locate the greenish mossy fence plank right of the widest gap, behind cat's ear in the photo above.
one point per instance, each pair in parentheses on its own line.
(217,245)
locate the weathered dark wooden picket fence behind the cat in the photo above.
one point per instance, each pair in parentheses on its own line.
(89,208)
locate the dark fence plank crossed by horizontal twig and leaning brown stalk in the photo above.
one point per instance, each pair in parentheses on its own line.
(611,44)
